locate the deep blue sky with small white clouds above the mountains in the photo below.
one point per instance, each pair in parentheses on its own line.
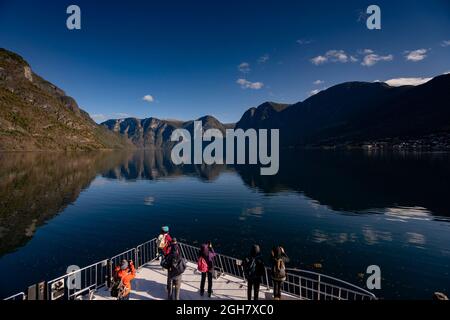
(186,54)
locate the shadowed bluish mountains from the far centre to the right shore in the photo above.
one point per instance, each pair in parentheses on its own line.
(351,113)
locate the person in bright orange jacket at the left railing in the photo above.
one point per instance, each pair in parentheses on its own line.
(123,274)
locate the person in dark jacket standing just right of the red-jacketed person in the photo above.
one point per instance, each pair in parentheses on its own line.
(176,267)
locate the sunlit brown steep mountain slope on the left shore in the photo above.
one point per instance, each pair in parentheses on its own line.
(37,115)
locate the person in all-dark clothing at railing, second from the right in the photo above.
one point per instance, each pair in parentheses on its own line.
(253,266)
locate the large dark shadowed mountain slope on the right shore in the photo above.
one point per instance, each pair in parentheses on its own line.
(354,112)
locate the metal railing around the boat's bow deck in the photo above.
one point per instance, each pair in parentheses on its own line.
(299,284)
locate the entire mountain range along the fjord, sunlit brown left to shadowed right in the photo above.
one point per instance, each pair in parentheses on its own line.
(37,115)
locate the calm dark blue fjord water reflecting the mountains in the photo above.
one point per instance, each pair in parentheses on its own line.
(334,212)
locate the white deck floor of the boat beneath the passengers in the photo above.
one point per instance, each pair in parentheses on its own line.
(151,279)
